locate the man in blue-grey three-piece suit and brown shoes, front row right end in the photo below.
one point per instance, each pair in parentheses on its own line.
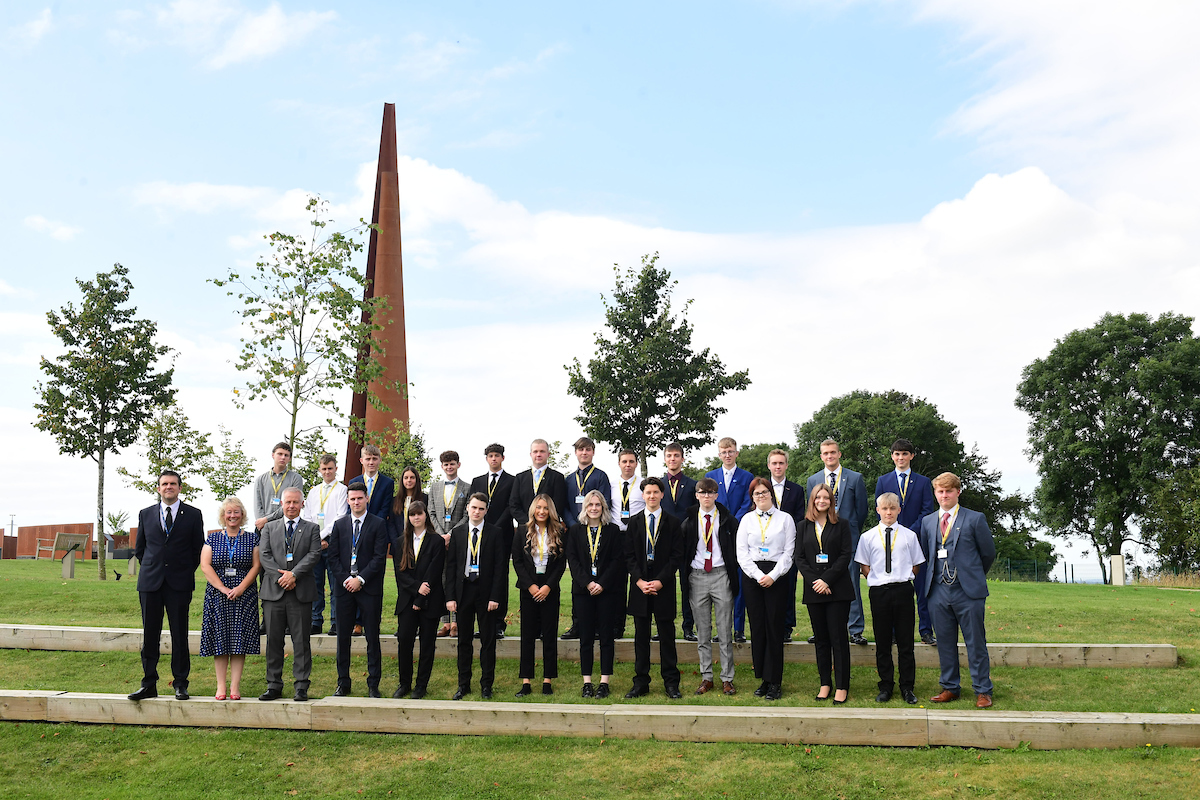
(961,551)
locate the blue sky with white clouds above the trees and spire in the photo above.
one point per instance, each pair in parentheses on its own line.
(911,195)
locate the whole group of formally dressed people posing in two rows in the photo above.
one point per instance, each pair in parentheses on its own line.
(741,546)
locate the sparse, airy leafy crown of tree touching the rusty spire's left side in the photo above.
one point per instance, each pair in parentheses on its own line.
(308,323)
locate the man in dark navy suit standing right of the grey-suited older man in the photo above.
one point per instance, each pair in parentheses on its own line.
(358,557)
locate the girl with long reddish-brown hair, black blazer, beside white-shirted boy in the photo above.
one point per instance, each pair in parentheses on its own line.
(824,551)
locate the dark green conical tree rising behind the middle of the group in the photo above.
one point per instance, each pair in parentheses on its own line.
(646,387)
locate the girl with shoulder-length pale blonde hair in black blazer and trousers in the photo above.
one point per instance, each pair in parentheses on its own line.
(596,552)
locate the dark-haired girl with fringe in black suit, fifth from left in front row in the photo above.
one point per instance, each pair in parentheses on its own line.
(419,558)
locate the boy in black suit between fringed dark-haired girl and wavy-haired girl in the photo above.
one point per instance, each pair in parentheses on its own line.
(477,578)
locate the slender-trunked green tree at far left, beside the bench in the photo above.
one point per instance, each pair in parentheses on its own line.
(103,390)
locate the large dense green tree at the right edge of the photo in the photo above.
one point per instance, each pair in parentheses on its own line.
(1113,411)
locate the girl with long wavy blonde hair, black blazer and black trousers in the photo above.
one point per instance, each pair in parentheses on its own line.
(539,558)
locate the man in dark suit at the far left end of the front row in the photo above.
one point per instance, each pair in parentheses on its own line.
(171,537)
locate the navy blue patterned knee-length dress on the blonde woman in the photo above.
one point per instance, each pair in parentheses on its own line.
(231,627)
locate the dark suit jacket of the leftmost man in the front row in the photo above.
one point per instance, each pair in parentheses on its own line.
(170,560)
